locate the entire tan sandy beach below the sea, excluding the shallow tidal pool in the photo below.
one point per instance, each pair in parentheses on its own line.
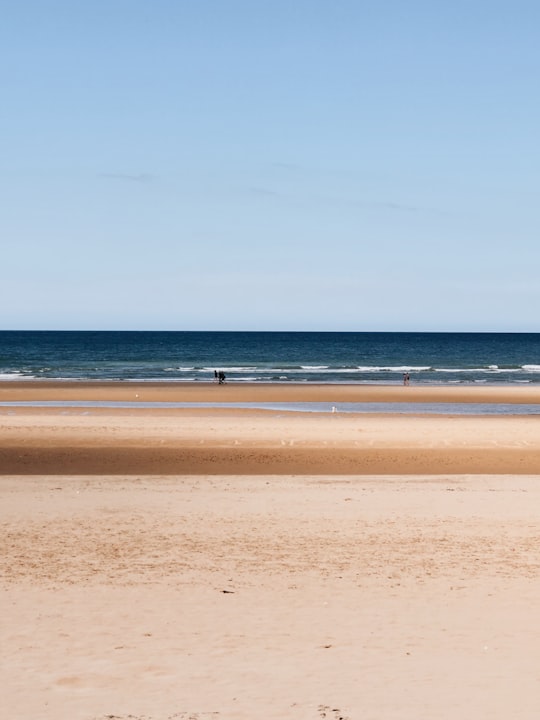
(232,564)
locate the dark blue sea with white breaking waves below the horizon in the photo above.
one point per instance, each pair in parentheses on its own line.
(276,357)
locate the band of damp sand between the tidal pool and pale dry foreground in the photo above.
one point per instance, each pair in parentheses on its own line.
(210,442)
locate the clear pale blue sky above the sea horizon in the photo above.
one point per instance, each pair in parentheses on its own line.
(270,165)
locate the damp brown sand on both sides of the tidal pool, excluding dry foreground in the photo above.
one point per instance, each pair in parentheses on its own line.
(236,441)
